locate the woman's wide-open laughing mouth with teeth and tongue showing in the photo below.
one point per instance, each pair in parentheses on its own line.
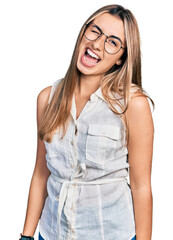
(89,58)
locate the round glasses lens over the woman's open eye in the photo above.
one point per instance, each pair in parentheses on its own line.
(112,45)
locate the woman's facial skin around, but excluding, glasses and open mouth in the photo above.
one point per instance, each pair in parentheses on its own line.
(110,25)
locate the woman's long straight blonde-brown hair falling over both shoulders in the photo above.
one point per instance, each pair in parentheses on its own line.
(119,79)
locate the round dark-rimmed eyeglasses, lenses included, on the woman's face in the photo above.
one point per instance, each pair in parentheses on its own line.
(112,43)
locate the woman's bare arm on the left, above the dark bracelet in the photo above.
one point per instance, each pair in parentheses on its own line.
(38,190)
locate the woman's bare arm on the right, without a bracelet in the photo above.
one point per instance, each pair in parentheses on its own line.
(140,148)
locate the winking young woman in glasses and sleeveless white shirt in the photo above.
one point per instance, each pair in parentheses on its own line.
(95,125)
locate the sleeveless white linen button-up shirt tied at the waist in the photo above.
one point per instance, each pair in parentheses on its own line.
(89,197)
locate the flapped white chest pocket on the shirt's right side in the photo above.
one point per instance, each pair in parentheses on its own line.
(102,143)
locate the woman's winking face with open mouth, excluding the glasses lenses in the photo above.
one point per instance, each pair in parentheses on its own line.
(90,65)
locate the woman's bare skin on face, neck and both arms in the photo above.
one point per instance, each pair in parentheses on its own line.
(140,127)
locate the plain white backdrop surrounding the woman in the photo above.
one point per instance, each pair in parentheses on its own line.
(36,45)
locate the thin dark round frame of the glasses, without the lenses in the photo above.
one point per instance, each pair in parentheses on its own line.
(102,33)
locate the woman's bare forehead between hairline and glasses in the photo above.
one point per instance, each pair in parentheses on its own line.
(110,25)
